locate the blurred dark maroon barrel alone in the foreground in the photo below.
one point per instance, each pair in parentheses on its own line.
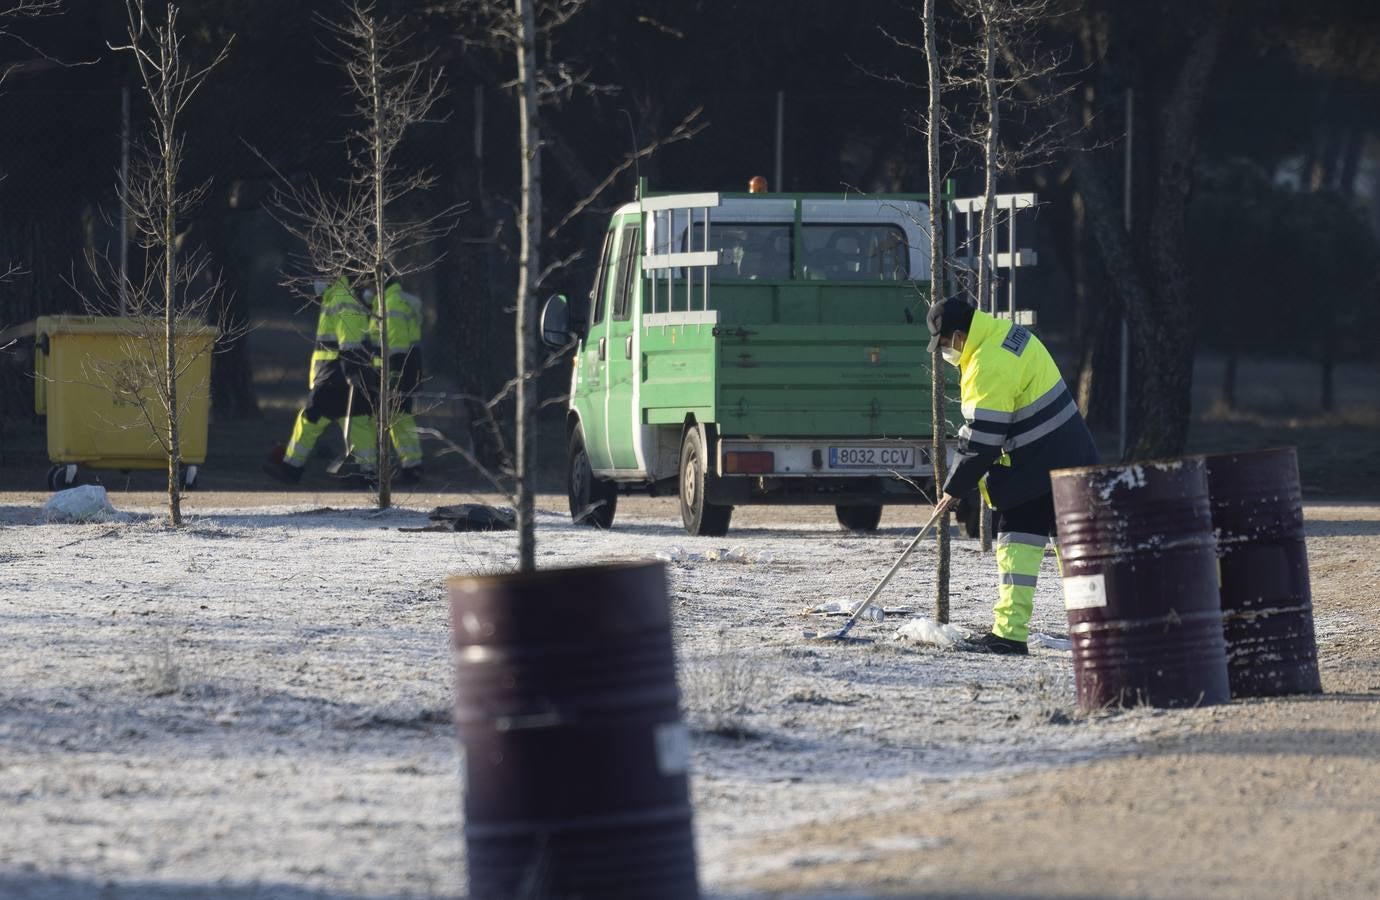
(576,757)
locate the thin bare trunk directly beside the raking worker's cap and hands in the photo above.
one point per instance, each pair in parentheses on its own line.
(939,427)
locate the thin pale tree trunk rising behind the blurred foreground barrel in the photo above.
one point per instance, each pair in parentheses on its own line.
(529,266)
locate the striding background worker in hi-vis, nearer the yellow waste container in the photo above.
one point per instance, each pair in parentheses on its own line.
(340,361)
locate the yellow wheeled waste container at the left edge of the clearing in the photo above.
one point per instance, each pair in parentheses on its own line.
(96,382)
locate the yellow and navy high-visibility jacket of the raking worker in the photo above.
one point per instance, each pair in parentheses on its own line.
(1019,419)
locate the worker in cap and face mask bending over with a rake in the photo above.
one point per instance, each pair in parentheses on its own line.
(1019,423)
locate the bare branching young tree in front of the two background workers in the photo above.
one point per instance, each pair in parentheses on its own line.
(359,230)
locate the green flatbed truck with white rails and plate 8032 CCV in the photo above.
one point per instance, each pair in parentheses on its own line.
(753,349)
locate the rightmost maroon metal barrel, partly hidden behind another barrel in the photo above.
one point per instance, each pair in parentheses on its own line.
(1266,603)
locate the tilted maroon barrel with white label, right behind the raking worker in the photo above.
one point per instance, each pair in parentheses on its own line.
(1141,585)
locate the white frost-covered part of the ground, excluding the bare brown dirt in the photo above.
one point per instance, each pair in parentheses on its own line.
(259,705)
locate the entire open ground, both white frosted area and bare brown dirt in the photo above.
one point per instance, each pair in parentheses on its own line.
(217,713)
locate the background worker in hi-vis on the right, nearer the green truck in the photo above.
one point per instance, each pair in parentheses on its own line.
(405,368)
